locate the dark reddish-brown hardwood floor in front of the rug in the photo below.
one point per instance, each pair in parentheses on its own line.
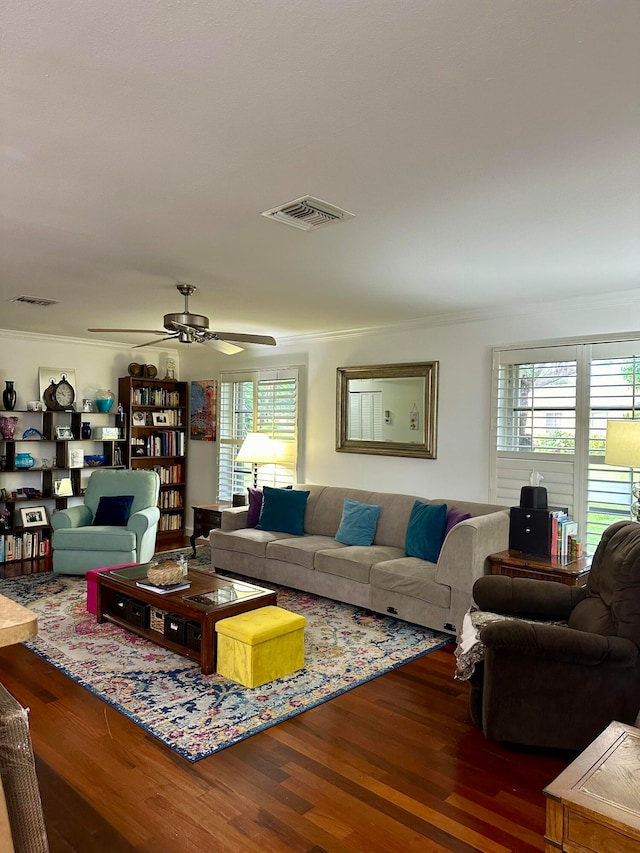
(393,765)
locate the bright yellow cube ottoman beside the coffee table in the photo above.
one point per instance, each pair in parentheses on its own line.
(260,646)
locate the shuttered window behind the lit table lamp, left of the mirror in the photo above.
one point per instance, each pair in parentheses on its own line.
(263,401)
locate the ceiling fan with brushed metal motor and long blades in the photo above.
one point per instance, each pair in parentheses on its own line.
(187,328)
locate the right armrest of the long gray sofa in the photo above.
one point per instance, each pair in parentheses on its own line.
(464,554)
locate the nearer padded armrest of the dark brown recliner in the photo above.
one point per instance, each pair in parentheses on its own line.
(557,643)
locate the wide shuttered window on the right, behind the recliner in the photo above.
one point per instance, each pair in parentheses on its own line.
(550,411)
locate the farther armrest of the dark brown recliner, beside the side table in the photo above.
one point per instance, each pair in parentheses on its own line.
(545,600)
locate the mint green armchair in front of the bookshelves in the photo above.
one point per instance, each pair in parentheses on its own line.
(124,505)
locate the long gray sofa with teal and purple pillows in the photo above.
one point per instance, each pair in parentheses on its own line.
(380,576)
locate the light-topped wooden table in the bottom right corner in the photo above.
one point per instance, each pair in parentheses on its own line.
(594,805)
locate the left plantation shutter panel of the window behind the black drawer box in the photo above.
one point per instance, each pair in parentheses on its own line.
(534,424)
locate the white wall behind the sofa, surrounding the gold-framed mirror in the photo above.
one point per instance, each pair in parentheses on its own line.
(463,349)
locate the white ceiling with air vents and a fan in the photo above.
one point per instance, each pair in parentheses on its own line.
(489,149)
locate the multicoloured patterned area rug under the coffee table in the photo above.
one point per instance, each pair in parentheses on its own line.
(198,715)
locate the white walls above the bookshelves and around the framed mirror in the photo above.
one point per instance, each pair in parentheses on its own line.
(463,349)
